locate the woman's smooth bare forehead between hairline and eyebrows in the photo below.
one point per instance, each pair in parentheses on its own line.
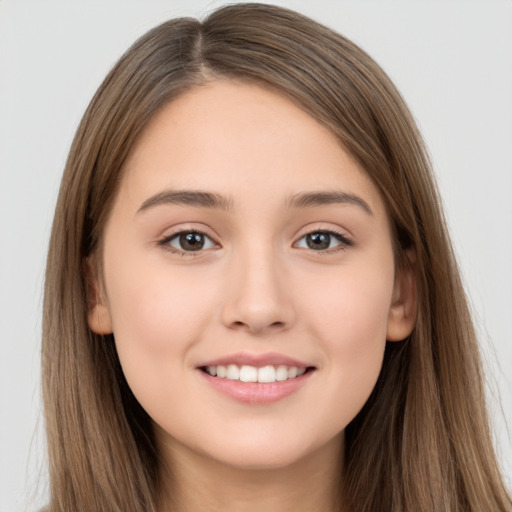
(242,140)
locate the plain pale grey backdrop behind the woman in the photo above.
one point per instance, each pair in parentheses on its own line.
(452,60)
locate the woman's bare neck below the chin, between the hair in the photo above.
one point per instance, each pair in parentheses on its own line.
(194,482)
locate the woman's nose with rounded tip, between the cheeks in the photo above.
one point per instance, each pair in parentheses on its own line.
(258,297)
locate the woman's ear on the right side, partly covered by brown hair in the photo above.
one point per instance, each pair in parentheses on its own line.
(404,304)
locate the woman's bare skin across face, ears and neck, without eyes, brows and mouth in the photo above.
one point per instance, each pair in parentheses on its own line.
(256,287)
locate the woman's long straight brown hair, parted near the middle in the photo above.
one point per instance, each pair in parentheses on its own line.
(421,442)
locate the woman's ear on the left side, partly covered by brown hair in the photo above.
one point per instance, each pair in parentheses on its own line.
(98,313)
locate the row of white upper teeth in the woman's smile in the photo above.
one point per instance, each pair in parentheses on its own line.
(248,373)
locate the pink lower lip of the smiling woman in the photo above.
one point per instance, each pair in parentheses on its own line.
(256,392)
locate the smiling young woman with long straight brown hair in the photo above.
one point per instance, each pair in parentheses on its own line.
(251,300)
